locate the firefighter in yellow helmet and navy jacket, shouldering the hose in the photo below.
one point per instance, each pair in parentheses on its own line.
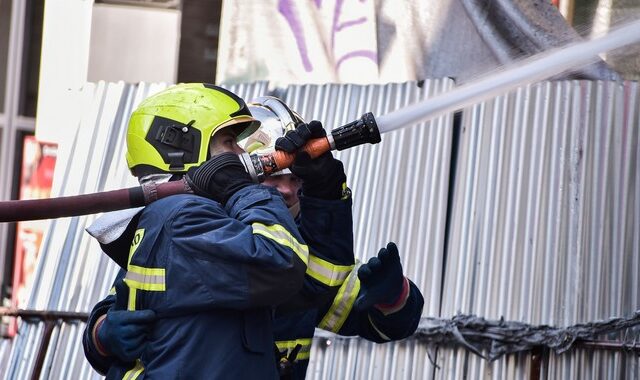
(203,270)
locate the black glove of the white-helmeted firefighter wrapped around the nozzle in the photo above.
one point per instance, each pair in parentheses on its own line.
(323,177)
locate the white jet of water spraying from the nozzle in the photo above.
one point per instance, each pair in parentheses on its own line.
(532,70)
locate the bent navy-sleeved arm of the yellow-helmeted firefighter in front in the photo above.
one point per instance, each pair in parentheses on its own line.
(249,255)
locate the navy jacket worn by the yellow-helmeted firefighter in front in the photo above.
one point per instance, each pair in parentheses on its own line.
(212,275)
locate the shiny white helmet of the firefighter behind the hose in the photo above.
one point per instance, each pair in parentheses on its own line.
(275,118)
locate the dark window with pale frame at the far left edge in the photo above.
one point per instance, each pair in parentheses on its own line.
(20,45)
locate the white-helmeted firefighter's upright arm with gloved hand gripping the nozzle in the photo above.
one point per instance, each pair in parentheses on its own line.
(325,216)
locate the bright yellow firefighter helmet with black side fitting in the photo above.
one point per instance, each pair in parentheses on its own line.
(170,131)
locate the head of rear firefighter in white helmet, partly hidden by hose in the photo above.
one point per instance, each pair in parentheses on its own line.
(276,118)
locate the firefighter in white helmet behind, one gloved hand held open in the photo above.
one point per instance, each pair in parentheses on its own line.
(375,301)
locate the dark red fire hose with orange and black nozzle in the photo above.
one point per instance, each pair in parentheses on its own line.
(361,131)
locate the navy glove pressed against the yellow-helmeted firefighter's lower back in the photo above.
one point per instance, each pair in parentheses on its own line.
(123,333)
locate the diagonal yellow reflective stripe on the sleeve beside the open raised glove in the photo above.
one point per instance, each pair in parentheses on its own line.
(343,303)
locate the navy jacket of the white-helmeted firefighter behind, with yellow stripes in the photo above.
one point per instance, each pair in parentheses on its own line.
(330,288)
